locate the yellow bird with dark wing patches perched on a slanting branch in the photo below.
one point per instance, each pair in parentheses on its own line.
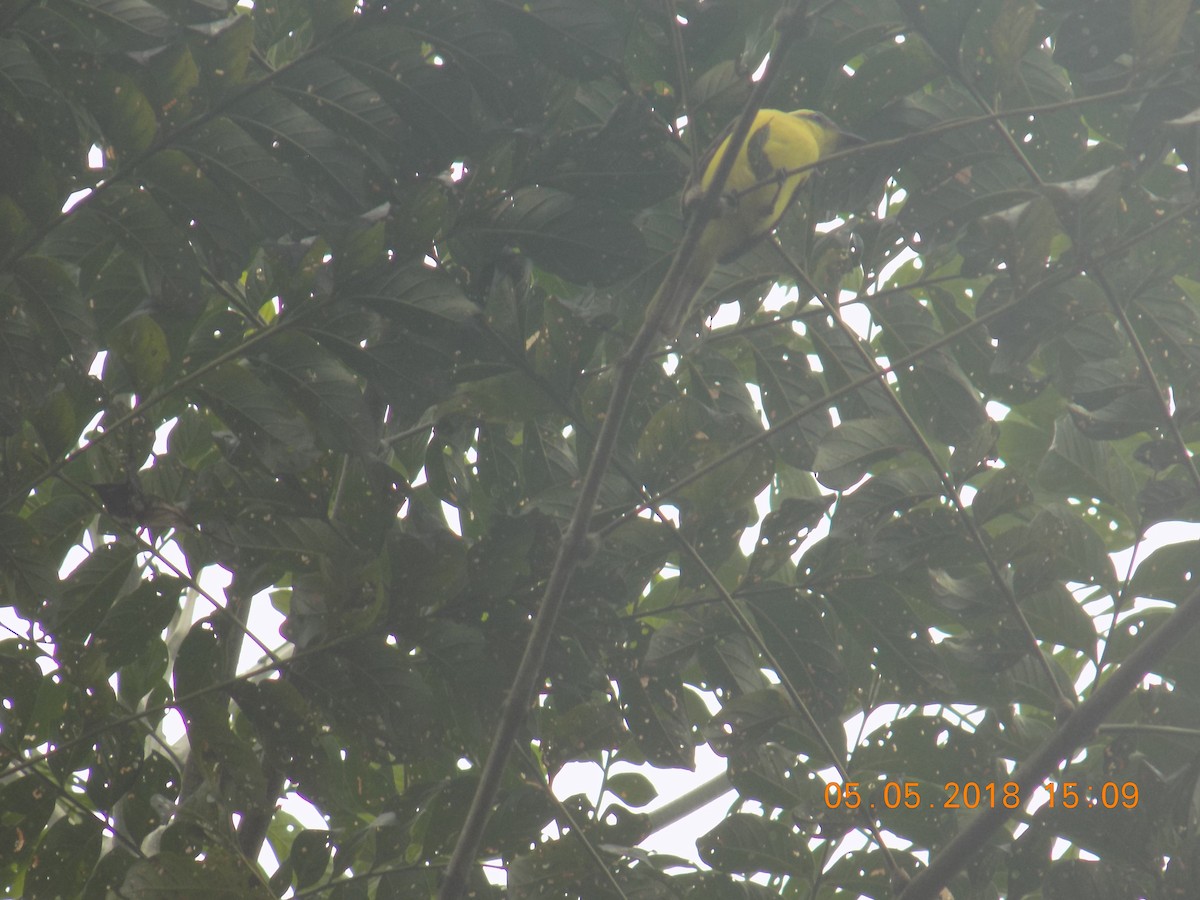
(758,193)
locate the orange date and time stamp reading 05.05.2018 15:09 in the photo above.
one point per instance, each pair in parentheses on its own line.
(977,795)
